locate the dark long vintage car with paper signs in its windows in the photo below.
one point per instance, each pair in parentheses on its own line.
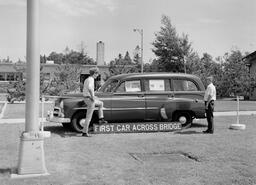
(137,97)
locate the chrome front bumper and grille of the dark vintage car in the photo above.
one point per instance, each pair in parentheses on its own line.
(57,116)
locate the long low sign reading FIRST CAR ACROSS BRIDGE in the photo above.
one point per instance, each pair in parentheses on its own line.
(139,127)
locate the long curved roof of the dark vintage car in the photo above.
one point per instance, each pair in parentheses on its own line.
(152,74)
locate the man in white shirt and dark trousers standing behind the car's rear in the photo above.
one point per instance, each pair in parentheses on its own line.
(209,98)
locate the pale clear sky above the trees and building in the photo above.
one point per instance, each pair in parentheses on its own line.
(212,26)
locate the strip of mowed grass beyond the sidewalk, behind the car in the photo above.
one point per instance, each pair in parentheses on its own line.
(17,110)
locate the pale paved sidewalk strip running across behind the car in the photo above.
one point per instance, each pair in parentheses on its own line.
(229,113)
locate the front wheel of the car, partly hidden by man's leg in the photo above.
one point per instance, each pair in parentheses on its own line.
(77,122)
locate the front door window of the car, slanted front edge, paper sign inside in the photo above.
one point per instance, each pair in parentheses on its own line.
(129,86)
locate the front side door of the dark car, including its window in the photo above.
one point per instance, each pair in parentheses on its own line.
(128,101)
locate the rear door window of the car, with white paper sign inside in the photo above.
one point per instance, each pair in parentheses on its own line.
(153,85)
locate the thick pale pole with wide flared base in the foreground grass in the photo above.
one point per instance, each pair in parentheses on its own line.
(31,154)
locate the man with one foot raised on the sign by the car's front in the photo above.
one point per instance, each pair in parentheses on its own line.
(91,101)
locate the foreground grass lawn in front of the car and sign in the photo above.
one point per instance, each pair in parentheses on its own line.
(188,157)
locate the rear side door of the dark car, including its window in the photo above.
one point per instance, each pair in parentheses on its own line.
(157,94)
